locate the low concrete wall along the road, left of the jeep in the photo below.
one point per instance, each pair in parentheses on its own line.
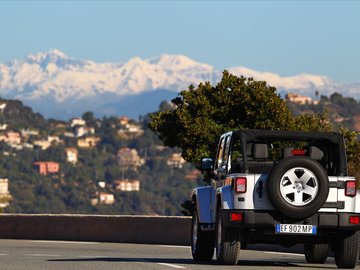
(125,229)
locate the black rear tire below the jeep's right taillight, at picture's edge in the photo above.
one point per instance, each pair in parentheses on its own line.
(347,250)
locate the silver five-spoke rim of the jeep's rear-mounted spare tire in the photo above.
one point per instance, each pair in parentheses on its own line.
(299,186)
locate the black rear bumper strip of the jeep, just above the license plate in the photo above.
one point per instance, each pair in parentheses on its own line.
(258,219)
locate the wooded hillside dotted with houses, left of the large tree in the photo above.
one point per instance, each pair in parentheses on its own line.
(105,166)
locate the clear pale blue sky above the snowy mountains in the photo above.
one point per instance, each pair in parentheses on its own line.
(286,37)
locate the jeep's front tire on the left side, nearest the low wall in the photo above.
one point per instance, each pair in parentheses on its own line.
(202,243)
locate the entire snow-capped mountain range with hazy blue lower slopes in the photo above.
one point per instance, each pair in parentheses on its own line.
(62,87)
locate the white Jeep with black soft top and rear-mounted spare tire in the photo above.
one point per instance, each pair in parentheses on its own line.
(277,187)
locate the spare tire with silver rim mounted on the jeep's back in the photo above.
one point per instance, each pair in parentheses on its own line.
(298,187)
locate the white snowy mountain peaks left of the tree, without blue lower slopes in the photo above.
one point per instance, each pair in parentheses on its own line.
(53,73)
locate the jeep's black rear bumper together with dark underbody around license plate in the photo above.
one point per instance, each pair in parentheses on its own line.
(259,227)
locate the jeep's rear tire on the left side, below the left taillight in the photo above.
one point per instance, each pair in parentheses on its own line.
(227,251)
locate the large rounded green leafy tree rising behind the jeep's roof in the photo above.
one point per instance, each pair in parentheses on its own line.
(201,114)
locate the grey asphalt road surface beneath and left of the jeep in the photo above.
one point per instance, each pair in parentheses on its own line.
(53,255)
